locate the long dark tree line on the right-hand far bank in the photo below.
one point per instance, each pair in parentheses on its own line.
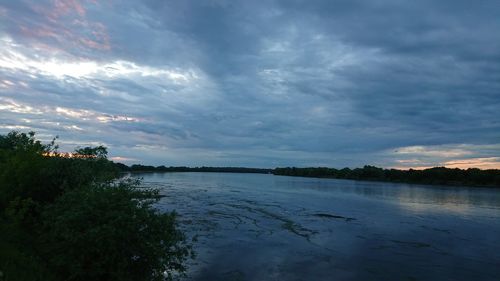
(436,176)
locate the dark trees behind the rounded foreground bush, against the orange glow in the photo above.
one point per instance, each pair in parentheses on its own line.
(27,172)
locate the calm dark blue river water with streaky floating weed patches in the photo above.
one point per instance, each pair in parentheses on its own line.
(265,227)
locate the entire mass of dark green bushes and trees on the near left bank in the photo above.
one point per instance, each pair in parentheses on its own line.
(67,217)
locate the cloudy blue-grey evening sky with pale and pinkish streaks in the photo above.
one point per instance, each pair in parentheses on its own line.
(390,83)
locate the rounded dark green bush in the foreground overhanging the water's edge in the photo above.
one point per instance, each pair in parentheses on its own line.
(111,232)
